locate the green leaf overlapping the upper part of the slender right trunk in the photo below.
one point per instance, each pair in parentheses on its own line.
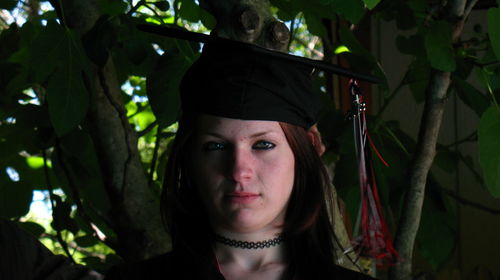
(439,46)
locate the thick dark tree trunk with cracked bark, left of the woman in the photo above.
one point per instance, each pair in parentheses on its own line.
(135,214)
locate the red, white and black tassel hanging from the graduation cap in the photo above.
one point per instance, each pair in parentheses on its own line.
(375,240)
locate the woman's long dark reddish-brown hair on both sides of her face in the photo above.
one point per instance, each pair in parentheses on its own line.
(307,230)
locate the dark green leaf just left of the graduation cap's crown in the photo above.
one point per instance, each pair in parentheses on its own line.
(164,97)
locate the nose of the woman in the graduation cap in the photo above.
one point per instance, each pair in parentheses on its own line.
(241,167)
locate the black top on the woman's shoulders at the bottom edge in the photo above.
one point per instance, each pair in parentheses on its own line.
(175,266)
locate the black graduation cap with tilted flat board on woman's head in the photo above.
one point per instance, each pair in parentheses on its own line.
(244,81)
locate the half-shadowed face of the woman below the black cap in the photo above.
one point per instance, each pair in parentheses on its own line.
(244,171)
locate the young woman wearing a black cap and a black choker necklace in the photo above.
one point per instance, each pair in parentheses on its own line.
(245,193)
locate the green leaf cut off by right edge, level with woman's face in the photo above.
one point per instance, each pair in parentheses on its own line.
(489,153)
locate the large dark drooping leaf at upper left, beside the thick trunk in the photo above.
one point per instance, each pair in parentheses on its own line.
(58,56)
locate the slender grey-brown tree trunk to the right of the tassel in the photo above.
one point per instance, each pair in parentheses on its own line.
(456,12)
